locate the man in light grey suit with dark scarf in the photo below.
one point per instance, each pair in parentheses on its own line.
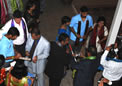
(38,54)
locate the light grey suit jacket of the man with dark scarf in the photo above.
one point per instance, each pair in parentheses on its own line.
(42,48)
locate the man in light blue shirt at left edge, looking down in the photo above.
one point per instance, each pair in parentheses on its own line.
(6,45)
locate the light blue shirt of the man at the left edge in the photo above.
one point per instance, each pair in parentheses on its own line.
(6,48)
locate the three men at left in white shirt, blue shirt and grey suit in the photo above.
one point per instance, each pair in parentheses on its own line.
(15,41)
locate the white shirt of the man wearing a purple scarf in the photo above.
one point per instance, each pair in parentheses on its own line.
(20,39)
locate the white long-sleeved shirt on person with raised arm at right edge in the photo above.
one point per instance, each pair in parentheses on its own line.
(112,69)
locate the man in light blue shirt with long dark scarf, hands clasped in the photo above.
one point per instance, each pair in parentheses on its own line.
(83,16)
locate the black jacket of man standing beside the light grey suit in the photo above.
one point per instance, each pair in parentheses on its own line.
(57,60)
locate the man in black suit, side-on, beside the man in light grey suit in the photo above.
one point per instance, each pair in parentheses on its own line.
(57,60)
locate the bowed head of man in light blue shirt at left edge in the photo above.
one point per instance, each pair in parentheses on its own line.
(13,33)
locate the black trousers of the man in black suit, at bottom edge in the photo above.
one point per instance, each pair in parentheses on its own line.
(54,81)
